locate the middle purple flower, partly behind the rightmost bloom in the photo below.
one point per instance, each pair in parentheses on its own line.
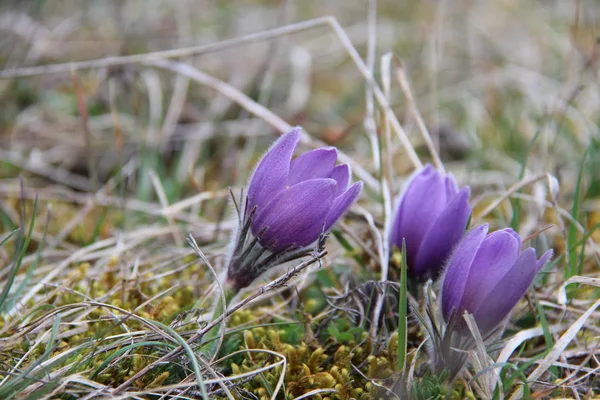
(431,217)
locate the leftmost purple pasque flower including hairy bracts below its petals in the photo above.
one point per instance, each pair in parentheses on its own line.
(289,206)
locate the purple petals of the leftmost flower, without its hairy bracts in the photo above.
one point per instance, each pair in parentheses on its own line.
(298,200)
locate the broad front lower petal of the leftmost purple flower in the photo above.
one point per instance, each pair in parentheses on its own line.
(296,216)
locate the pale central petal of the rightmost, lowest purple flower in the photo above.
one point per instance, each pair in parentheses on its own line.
(495,258)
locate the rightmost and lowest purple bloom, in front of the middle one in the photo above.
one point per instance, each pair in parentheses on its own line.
(487,276)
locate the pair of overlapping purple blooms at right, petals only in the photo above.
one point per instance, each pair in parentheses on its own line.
(485,276)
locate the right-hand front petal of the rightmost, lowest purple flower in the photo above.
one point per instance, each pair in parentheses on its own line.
(506,293)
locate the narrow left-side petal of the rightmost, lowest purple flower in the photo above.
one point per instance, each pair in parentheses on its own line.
(458,269)
